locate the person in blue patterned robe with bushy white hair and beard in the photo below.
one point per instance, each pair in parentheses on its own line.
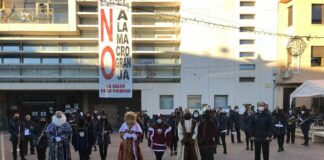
(58,133)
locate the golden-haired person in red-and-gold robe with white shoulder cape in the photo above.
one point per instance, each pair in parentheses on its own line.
(130,133)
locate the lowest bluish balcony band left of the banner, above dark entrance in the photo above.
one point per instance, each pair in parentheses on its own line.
(21,73)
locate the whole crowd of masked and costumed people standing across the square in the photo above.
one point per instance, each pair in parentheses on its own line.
(188,136)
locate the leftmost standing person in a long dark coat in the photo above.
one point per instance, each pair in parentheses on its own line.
(16,136)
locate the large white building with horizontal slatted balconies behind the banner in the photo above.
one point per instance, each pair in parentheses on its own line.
(181,55)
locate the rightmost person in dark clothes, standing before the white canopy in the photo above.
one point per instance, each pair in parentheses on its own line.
(304,123)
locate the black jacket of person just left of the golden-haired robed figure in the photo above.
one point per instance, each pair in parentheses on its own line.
(103,126)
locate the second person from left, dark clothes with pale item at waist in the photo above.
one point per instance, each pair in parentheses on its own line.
(29,126)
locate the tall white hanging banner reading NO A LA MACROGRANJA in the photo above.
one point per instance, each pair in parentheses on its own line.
(115,49)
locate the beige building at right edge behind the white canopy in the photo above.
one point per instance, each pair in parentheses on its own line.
(300,58)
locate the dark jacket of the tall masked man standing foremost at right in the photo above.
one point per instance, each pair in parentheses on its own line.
(261,126)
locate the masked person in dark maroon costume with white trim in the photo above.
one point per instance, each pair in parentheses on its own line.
(159,138)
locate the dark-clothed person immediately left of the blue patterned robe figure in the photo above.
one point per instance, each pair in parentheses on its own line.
(41,141)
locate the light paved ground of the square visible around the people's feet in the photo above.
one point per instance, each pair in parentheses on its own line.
(235,151)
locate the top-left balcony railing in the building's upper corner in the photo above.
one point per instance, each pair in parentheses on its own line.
(26,15)
